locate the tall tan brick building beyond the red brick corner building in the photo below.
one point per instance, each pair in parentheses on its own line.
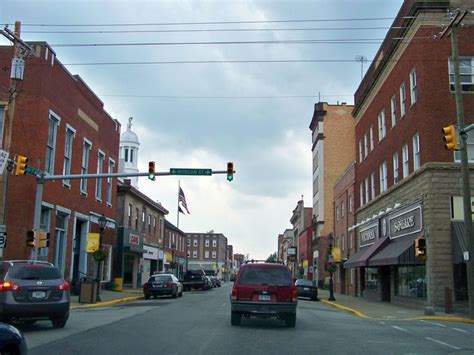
(332,128)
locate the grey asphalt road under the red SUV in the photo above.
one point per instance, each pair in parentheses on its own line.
(199,323)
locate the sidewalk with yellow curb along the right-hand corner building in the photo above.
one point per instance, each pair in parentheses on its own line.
(384,310)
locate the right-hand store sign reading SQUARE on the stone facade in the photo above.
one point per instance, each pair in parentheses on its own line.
(407,221)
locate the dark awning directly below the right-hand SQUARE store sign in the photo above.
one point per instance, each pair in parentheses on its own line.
(400,251)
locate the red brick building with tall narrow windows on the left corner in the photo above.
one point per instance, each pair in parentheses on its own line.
(62,127)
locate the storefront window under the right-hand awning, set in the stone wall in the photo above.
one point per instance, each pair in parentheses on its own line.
(410,281)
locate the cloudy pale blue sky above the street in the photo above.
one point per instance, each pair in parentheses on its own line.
(249,108)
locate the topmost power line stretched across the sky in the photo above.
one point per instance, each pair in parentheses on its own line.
(208,22)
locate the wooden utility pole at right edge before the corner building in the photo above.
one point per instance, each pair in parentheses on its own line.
(453,27)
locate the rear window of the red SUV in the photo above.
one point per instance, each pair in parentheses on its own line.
(277,276)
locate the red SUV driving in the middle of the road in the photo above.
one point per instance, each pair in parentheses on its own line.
(264,290)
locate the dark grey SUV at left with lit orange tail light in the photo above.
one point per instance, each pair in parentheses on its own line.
(31,291)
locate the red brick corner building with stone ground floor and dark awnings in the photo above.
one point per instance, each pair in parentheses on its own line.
(407,184)
